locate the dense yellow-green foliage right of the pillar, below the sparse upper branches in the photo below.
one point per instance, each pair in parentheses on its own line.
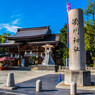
(90,37)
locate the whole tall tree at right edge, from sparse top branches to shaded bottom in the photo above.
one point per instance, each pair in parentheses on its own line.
(90,30)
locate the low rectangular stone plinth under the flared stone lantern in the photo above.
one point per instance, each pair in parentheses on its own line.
(48,67)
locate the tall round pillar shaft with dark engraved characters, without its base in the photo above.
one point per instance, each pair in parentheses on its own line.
(76,39)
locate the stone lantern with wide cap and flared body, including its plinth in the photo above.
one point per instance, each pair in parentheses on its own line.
(48,63)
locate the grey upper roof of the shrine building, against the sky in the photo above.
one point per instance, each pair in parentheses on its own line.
(31,32)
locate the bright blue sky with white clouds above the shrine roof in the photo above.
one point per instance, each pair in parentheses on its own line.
(35,13)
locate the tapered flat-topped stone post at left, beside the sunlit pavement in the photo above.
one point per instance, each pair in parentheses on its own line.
(10,80)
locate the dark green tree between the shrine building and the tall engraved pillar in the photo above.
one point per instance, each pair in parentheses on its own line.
(62,51)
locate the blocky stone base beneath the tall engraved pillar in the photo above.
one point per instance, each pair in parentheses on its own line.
(82,77)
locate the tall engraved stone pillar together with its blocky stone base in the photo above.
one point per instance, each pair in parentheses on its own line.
(77,59)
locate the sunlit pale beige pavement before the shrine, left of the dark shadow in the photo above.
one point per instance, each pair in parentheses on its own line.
(22,75)
